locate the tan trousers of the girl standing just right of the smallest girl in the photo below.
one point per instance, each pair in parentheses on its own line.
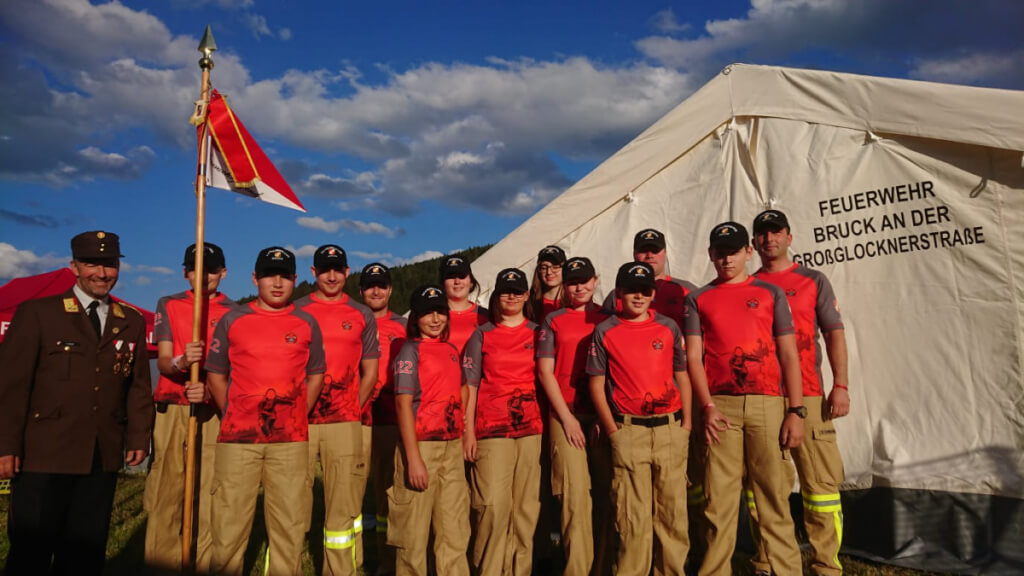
(505,499)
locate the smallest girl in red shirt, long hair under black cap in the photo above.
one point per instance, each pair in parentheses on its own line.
(430,489)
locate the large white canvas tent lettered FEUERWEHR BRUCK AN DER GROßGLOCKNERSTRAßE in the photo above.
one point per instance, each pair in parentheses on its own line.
(910,196)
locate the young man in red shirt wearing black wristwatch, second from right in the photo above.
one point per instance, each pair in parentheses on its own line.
(743,357)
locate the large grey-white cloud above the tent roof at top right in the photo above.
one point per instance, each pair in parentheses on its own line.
(875,33)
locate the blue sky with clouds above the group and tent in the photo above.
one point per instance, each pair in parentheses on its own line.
(408,130)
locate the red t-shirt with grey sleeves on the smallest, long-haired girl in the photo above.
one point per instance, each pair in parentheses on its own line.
(429,369)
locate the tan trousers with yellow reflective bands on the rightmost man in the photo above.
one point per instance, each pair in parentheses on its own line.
(821,470)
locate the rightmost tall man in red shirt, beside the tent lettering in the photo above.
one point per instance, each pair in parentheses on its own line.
(816,311)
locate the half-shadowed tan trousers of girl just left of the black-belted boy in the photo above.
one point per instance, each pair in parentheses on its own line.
(588,539)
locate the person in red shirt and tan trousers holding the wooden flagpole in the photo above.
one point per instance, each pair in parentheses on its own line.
(177,353)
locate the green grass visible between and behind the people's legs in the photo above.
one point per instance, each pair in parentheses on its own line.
(127,540)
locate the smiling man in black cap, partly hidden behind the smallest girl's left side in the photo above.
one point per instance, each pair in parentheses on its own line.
(379,420)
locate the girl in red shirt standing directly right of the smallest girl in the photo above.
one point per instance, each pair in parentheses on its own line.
(502,412)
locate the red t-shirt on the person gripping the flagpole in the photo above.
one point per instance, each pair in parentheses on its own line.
(173,323)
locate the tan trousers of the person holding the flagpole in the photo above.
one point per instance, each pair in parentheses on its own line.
(165,488)
